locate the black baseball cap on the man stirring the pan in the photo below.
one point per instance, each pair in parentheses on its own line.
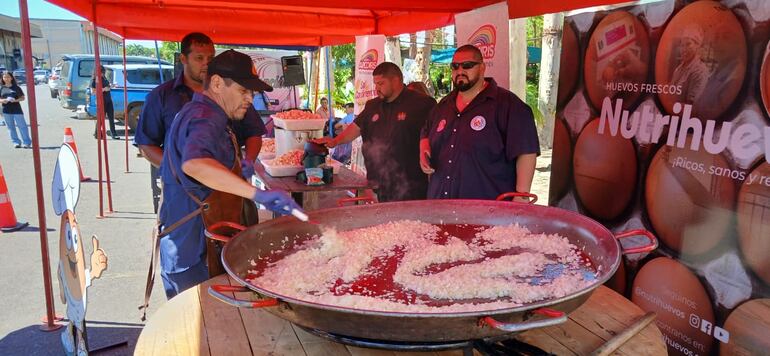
(238,67)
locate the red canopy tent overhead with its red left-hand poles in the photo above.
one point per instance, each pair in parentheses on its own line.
(254,22)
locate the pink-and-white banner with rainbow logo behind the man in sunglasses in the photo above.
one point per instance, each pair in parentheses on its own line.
(487,29)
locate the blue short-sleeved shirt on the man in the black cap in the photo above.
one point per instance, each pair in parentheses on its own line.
(200,131)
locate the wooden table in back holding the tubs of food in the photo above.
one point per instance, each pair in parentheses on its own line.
(307,195)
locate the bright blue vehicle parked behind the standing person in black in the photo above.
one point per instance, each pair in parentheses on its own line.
(141,79)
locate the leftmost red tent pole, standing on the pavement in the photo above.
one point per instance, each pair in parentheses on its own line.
(50,324)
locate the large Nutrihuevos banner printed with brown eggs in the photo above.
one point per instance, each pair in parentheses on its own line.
(663,124)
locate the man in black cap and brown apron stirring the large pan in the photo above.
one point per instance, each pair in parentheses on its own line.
(201,171)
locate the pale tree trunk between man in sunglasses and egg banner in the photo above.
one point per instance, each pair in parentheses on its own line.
(549,75)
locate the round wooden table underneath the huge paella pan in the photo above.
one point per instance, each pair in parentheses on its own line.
(194,323)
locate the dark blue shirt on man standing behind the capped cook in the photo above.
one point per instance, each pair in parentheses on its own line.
(165,101)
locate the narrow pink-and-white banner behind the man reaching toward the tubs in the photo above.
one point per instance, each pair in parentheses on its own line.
(370,51)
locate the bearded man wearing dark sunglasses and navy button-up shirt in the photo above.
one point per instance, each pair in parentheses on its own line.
(481,141)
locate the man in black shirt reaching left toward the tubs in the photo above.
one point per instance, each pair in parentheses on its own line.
(390,128)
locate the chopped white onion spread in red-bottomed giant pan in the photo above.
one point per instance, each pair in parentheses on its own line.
(500,267)
